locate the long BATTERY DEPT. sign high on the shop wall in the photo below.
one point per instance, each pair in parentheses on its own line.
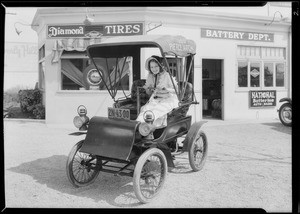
(237,35)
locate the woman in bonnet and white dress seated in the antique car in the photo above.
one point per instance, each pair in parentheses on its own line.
(163,97)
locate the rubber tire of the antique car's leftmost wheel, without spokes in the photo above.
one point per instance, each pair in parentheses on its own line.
(69,167)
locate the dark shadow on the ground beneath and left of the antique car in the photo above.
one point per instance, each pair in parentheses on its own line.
(117,191)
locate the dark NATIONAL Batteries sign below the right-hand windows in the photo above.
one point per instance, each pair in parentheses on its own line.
(262,98)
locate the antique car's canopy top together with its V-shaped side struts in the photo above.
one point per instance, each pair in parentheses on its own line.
(122,47)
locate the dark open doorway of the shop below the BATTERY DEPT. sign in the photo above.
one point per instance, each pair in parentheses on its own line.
(212,88)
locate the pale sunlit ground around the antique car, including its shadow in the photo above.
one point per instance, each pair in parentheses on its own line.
(248,166)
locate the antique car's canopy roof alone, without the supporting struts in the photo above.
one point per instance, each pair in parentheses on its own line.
(121,46)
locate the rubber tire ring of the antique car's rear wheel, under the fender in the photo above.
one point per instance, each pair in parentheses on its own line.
(191,146)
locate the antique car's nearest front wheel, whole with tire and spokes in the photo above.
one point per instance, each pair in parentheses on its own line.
(149,174)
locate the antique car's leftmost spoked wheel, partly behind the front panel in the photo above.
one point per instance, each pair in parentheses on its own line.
(82,168)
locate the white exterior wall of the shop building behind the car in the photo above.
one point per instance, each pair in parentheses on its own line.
(61,106)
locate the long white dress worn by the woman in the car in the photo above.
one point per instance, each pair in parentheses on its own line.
(160,106)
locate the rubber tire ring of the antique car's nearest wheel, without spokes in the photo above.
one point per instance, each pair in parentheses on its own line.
(138,169)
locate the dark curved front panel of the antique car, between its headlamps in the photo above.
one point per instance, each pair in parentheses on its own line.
(112,138)
